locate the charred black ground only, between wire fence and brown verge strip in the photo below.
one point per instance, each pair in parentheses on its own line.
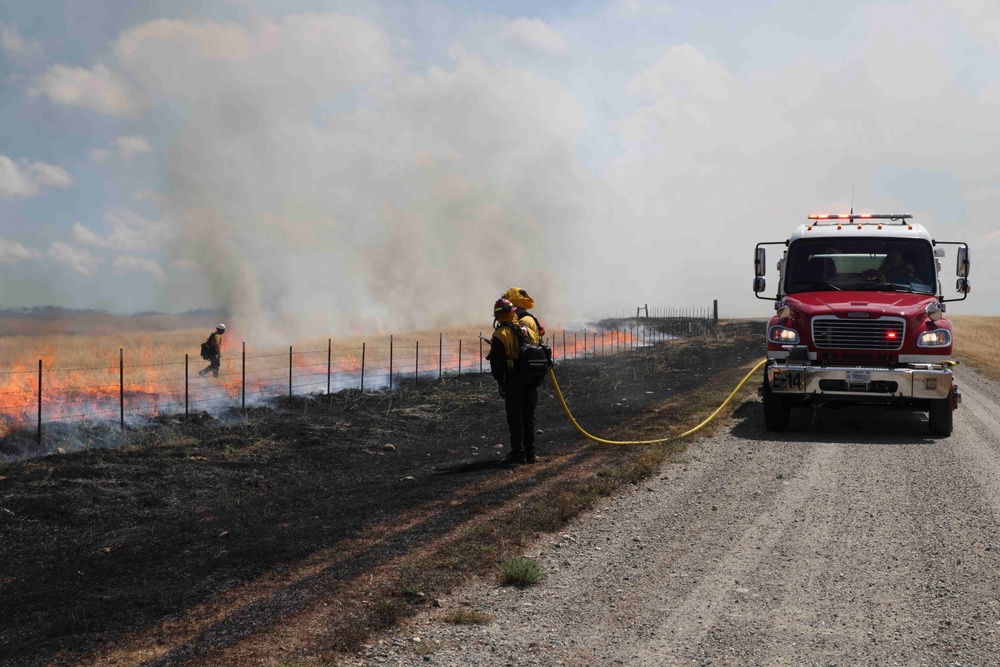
(97,545)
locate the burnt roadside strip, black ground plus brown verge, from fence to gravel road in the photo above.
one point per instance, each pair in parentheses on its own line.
(291,535)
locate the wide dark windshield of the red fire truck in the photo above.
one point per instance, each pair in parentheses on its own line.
(905,265)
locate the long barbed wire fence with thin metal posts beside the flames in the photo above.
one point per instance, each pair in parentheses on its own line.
(125,391)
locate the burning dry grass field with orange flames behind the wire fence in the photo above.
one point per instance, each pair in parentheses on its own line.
(94,366)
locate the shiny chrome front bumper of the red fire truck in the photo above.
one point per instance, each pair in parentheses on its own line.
(922,381)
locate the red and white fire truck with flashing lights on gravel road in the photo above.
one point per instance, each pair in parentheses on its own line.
(859,318)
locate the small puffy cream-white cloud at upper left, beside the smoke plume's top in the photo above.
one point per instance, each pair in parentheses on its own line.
(98,89)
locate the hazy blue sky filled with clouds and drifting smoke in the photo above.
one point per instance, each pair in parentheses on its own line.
(325,167)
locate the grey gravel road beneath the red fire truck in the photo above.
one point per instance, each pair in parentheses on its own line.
(852,539)
